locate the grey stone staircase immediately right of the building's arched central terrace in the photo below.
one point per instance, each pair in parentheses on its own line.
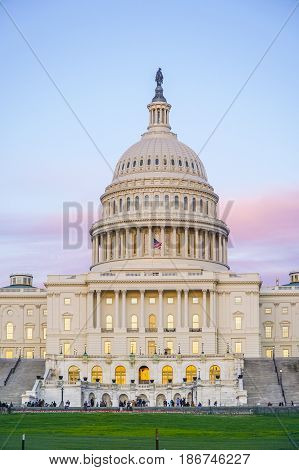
(261,383)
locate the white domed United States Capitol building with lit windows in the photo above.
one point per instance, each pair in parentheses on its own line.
(160,315)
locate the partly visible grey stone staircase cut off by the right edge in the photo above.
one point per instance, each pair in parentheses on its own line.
(290,378)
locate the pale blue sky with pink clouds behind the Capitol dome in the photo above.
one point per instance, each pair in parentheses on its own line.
(98,60)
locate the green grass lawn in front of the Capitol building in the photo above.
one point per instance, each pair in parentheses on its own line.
(137,431)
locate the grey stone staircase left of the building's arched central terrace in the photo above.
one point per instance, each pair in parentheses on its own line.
(22,380)
